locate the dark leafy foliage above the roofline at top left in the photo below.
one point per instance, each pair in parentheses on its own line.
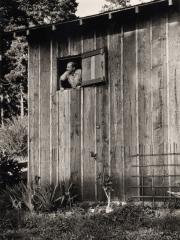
(20,13)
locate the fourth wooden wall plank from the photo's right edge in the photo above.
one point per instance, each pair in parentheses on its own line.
(130,106)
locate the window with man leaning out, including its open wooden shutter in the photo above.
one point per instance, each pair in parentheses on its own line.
(89,69)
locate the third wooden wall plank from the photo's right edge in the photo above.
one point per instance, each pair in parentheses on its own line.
(144,34)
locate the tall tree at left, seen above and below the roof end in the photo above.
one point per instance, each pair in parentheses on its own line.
(16,14)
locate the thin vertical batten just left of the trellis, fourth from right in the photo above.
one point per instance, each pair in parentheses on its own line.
(122,101)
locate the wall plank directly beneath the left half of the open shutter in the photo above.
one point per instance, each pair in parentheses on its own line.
(88,130)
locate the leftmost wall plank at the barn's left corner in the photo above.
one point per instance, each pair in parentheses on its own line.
(33,110)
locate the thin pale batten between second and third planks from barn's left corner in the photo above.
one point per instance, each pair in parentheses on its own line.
(51,80)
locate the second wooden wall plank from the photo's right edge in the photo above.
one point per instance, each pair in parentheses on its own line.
(159,94)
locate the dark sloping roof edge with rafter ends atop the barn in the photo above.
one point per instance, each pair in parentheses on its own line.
(108,15)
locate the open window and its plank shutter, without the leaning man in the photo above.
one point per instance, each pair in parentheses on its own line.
(92,65)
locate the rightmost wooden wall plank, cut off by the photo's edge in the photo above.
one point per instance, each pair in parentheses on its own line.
(174,93)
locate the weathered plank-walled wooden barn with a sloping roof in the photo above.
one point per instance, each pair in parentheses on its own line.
(125,118)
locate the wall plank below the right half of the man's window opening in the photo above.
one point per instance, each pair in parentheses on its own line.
(75,124)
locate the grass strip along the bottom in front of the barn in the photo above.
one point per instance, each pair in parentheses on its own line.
(125,223)
